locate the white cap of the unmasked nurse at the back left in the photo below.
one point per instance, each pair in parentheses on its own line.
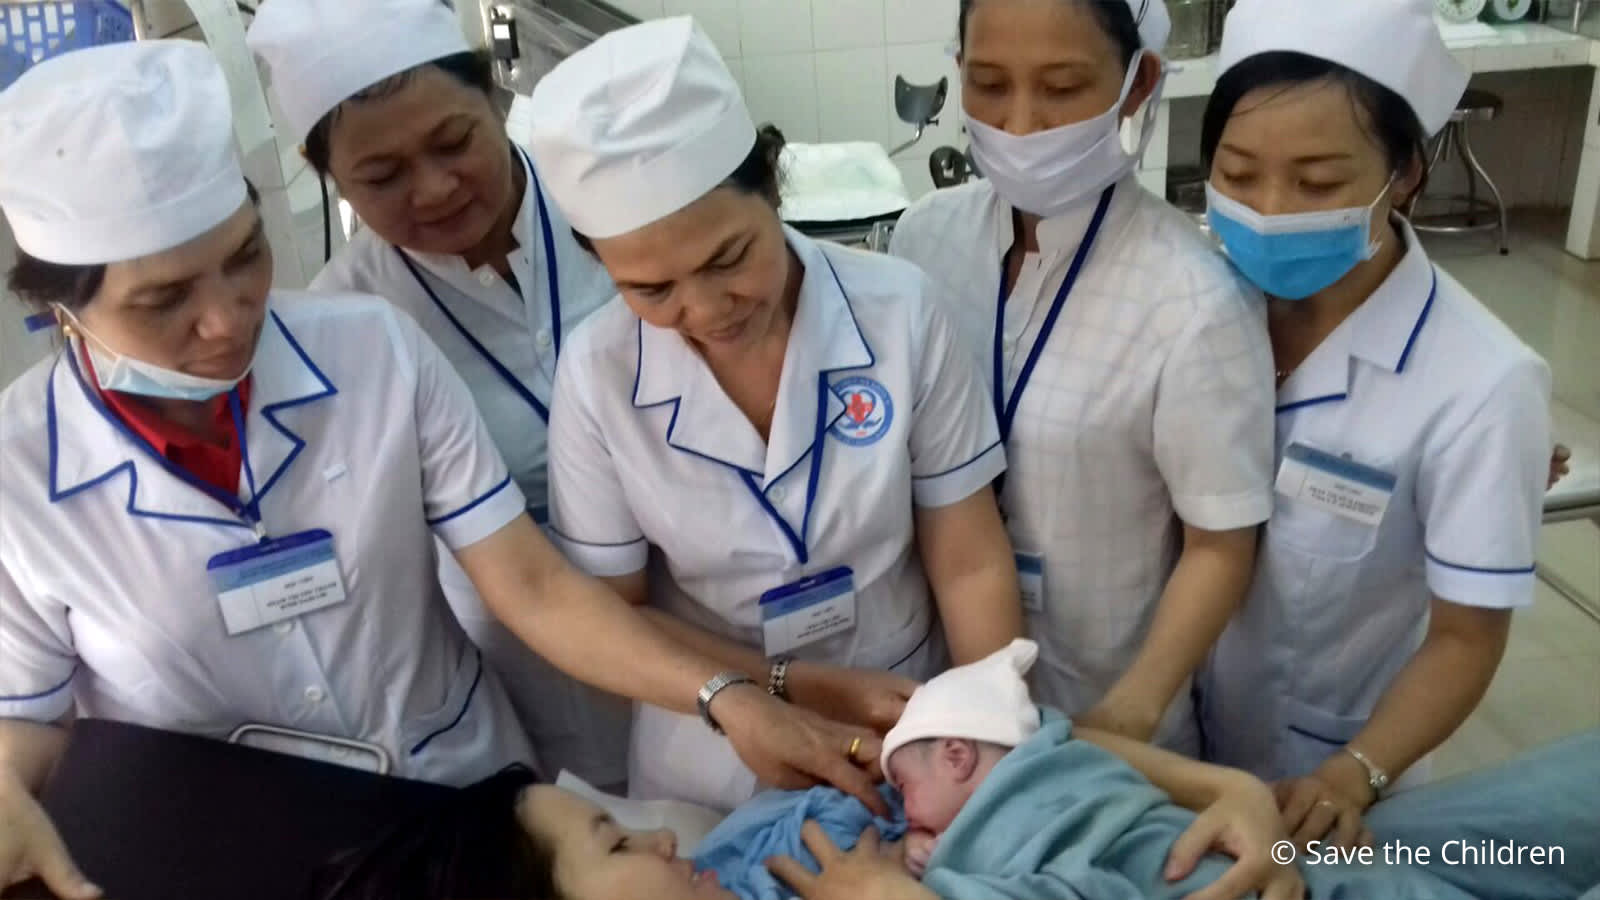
(321,54)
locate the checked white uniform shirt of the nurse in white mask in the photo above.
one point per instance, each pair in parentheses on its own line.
(1151,406)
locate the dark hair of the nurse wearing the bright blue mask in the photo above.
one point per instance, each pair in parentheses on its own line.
(1386,116)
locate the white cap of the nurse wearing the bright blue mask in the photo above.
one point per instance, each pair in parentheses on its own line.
(1393,42)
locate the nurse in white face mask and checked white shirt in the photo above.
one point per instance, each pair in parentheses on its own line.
(1130,364)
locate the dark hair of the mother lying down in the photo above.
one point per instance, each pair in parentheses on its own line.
(470,848)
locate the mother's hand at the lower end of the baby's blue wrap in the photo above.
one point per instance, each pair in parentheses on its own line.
(1242,824)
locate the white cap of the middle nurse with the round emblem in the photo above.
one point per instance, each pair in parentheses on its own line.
(638,126)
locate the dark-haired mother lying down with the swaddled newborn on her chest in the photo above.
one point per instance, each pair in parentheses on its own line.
(1002,800)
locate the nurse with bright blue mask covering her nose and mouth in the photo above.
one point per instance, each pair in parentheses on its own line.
(1414,427)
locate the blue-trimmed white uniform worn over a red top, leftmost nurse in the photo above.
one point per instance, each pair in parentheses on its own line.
(105,600)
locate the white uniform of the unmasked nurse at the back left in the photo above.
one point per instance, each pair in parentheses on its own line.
(505,344)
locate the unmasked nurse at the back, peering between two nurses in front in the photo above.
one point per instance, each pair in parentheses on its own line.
(458,231)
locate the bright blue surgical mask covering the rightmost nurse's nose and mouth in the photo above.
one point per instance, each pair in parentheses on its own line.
(1298,255)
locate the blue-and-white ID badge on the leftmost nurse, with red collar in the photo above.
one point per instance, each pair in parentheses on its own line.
(276,581)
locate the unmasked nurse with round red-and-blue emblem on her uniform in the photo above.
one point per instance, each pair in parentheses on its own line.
(791,427)
